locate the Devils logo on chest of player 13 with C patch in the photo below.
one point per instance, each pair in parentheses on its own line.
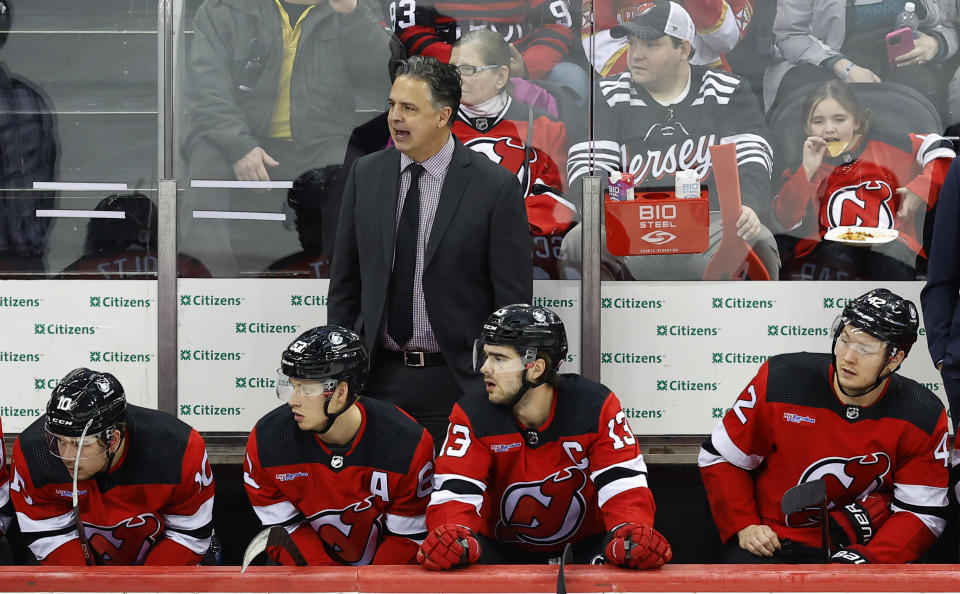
(543,513)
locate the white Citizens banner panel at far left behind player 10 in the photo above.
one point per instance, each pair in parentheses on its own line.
(51,327)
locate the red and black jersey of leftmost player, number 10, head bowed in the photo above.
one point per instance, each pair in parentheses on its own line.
(155,507)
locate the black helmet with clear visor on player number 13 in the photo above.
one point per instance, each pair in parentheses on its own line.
(525,327)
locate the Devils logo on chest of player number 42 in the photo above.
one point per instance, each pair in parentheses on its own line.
(847,479)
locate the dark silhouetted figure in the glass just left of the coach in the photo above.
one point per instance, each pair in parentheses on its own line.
(308,197)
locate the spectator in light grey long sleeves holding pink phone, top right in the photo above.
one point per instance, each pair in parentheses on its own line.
(833,39)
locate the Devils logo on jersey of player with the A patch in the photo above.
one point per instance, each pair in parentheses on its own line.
(350,535)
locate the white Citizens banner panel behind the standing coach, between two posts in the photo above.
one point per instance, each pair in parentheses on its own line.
(232,331)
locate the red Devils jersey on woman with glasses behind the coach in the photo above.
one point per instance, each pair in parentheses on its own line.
(503,137)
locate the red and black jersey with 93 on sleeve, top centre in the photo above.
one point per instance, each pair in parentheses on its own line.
(541,30)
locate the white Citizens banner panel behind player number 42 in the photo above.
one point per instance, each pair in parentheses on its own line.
(678,354)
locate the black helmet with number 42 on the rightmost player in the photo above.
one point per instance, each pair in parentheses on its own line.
(884,315)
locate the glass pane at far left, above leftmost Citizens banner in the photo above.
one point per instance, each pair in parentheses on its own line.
(78,106)
